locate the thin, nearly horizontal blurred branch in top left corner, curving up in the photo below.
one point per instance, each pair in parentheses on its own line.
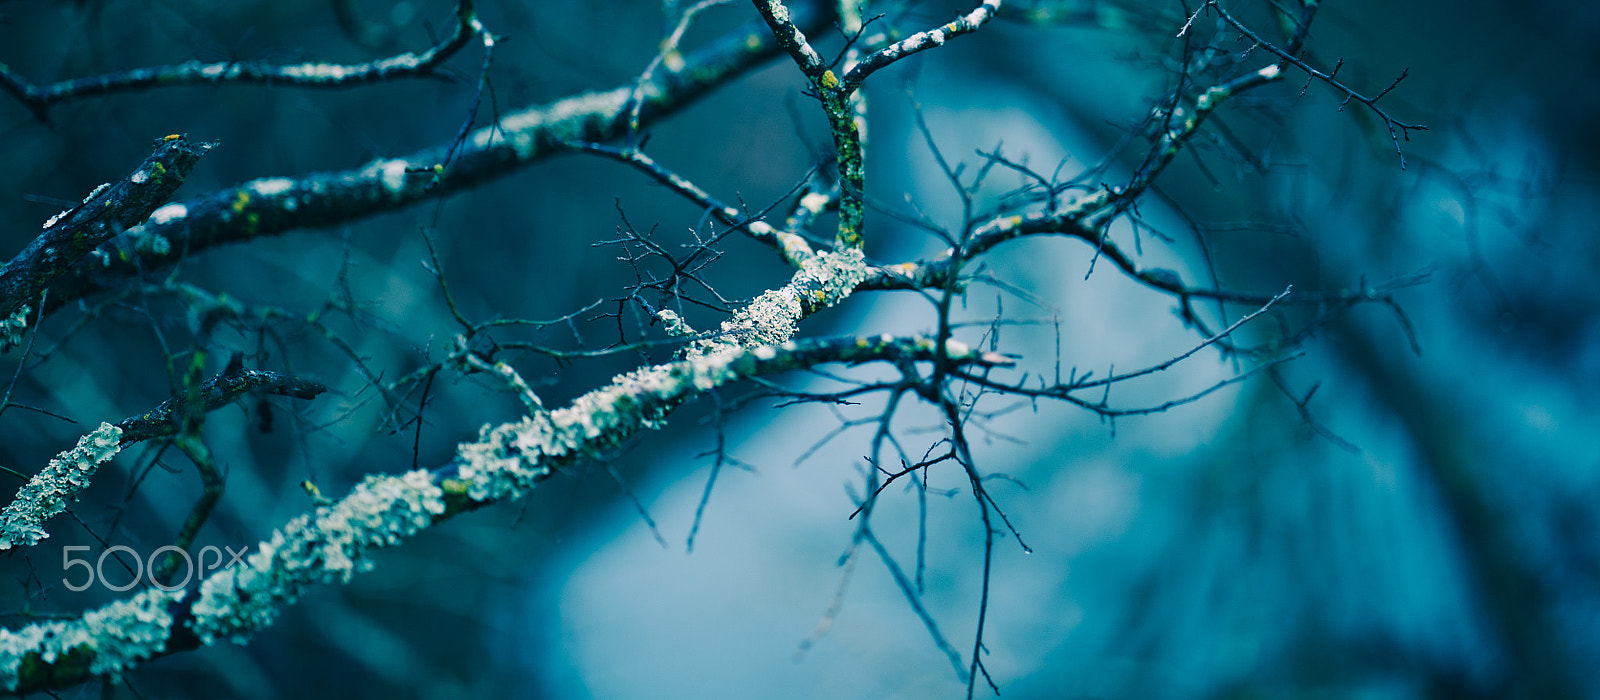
(39,98)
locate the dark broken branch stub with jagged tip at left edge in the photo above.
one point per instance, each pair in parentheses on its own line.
(105,213)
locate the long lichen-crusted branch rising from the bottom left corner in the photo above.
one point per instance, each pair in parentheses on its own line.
(335,543)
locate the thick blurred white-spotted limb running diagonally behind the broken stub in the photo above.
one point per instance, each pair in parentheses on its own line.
(276,205)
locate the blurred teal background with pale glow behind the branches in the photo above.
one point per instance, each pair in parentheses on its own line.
(1423,527)
